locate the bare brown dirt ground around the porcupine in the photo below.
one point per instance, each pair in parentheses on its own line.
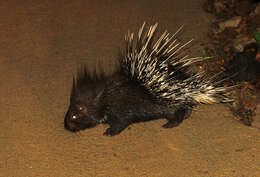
(42,45)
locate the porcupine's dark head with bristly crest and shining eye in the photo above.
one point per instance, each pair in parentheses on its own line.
(85,102)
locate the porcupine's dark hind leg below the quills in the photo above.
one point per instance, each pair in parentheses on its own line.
(175,118)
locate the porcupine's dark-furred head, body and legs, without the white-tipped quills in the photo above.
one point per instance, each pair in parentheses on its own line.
(118,101)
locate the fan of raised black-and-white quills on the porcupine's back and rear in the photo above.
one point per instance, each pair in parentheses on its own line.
(161,66)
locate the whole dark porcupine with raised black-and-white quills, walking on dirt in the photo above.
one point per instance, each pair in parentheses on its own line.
(152,81)
